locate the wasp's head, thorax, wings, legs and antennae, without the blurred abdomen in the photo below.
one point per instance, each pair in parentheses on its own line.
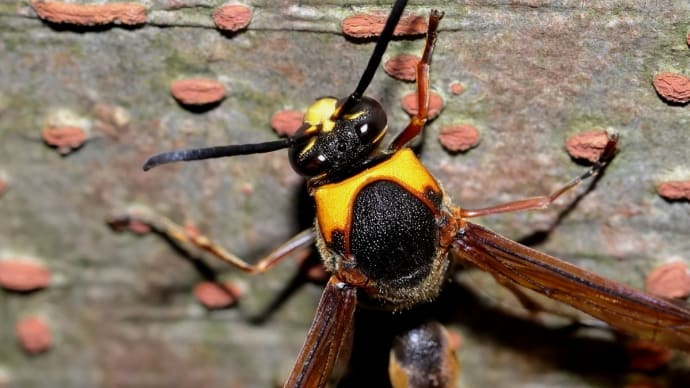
(388,234)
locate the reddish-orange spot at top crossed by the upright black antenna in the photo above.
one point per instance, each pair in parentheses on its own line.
(363,25)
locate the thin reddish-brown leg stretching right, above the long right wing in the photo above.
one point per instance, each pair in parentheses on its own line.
(545,201)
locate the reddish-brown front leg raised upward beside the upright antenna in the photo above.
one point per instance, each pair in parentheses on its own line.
(418,121)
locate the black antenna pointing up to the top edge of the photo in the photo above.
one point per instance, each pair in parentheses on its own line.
(375,59)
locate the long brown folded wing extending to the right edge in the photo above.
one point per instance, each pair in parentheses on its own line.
(624,308)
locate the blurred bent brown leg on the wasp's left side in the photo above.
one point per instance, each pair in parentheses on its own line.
(183,236)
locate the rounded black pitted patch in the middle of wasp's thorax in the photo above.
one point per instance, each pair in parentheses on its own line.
(393,236)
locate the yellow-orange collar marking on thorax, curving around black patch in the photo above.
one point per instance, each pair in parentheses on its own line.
(334,201)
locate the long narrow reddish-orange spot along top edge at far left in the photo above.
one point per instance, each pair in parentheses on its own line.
(130,14)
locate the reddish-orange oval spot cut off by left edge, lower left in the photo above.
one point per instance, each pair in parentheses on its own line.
(22,275)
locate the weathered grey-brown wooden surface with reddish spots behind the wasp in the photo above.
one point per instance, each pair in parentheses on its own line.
(86,94)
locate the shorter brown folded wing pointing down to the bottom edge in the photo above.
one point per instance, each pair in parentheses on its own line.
(329,331)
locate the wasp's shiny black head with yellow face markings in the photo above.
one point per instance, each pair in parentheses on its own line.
(338,144)
